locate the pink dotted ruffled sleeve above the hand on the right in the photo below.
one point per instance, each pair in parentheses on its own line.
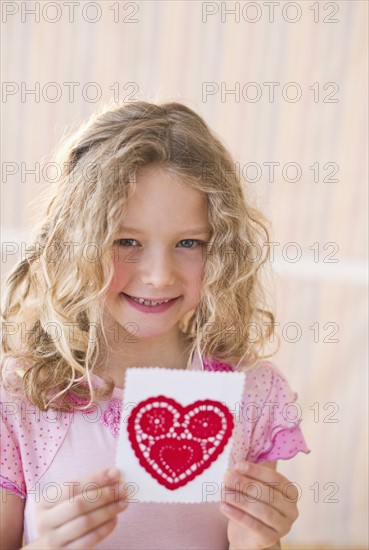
(270,418)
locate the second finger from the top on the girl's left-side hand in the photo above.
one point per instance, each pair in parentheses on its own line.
(90,499)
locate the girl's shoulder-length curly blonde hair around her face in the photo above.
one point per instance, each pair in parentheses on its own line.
(98,169)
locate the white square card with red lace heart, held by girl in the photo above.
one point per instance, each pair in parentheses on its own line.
(176,432)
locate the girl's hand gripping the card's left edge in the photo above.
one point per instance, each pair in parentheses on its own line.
(85,514)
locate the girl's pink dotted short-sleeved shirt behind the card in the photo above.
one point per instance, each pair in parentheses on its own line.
(42,450)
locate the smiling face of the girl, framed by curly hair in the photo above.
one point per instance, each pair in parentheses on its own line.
(158,255)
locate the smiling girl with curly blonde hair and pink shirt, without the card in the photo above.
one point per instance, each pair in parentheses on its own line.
(147,209)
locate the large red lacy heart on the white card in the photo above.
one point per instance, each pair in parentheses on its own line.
(174,443)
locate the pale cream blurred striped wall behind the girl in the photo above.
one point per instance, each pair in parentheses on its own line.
(284,84)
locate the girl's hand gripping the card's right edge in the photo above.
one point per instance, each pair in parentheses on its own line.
(260,504)
